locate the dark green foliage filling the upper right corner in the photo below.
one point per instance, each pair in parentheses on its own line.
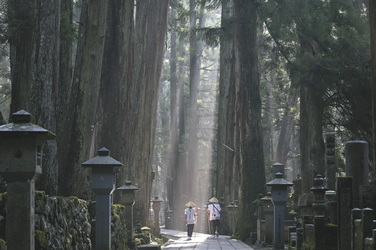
(338,35)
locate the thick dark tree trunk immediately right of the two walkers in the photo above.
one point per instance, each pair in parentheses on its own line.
(251,165)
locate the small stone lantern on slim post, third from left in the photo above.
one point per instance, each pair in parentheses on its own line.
(127,198)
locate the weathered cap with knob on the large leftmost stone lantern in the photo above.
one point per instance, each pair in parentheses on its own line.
(22,126)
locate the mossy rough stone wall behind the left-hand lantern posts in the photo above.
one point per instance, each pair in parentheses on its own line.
(68,223)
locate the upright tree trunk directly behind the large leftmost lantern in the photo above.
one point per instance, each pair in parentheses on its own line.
(44,88)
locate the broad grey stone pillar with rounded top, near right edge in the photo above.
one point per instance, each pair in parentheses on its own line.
(357,166)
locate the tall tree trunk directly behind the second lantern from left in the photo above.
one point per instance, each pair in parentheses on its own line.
(114,94)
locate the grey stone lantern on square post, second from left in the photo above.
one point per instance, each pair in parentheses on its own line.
(103,185)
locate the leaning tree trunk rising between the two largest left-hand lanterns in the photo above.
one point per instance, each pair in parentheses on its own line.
(84,98)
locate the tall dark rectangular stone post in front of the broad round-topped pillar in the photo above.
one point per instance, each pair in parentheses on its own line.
(344,196)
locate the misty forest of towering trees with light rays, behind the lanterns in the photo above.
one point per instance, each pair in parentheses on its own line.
(197,98)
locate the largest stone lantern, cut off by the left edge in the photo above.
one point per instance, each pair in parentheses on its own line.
(21,165)
